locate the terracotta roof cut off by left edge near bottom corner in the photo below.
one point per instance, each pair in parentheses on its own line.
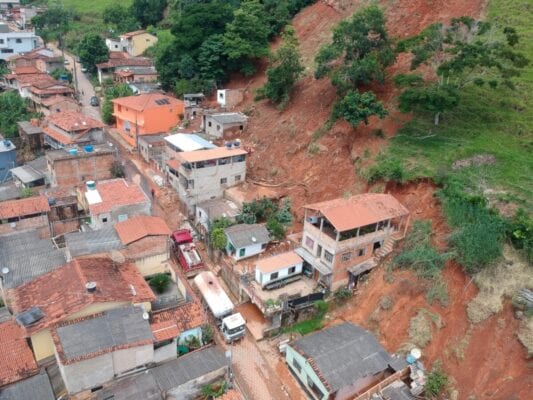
(16,357)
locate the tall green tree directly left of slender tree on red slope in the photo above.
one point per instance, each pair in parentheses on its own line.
(246,37)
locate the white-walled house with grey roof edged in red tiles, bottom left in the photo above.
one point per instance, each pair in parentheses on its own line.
(93,350)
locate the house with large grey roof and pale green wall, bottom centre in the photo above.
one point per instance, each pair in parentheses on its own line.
(341,362)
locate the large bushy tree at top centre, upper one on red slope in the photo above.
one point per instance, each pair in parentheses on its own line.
(364,50)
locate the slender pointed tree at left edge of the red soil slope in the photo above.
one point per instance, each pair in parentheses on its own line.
(284,70)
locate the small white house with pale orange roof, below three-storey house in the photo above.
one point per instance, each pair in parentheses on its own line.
(277,268)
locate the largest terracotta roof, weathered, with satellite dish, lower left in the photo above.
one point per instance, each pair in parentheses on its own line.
(62,292)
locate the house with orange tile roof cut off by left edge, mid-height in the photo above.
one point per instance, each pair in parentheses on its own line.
(25,214)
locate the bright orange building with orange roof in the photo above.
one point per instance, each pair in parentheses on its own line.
(146,114)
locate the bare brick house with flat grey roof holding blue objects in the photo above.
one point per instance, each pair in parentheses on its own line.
(73,166)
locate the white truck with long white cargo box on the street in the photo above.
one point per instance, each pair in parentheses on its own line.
(232,325)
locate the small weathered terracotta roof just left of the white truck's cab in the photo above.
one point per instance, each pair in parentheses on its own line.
(169,324)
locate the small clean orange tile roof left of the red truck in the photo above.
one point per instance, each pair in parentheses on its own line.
(141,226)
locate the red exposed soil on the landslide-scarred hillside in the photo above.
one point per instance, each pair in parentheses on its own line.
(494,364)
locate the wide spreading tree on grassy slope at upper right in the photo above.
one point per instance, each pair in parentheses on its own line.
(462,53)
